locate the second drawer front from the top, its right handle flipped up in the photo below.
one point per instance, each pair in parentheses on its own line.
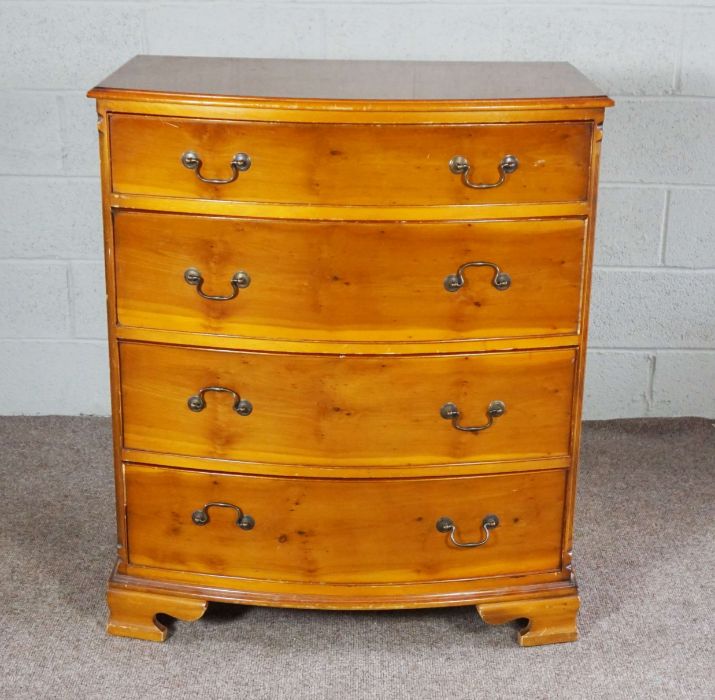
(349,281)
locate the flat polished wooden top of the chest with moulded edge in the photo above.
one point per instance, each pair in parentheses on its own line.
(236,79)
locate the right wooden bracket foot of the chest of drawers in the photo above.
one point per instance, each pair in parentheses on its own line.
(547,621)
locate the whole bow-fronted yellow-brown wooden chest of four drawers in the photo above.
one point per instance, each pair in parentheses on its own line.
(347,318)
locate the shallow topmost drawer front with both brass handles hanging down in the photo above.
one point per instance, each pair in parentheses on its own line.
(349,164)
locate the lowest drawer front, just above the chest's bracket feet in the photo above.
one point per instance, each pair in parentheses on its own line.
(342,530)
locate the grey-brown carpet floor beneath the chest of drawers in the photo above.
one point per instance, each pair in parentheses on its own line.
(643,556)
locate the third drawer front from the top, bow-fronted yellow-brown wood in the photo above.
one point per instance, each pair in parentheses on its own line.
(346,410)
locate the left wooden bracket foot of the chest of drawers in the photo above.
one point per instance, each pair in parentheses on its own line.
(133,613)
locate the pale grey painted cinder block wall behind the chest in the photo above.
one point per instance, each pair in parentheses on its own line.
(653,323)
